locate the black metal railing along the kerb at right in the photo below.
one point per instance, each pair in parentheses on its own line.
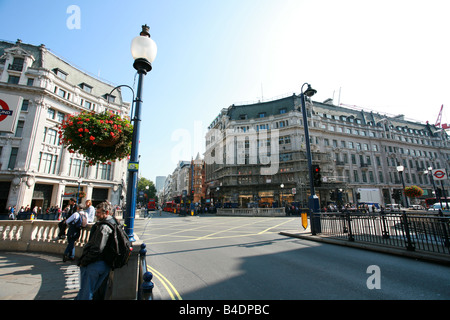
(410,231)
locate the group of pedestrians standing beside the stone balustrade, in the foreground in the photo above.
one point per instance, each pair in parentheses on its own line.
(93,268)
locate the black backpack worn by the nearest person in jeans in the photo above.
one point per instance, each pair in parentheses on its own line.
(118,249)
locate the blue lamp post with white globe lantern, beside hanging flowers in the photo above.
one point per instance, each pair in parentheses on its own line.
(143,50)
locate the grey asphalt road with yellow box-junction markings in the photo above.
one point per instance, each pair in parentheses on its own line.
(223,258)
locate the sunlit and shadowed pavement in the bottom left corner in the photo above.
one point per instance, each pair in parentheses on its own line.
(36,276)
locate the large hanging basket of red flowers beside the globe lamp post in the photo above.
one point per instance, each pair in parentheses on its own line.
(100,137)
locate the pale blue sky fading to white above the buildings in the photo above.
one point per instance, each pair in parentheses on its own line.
(389,56)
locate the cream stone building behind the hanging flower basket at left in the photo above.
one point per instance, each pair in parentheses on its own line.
(37,90)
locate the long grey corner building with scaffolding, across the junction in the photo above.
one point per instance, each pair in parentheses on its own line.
(256,154)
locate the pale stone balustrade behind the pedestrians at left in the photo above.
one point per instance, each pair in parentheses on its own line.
(38,235)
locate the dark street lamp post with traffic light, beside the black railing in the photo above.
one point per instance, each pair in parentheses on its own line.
(313,201)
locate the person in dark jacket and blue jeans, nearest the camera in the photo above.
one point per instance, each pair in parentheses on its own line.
(93,268)
